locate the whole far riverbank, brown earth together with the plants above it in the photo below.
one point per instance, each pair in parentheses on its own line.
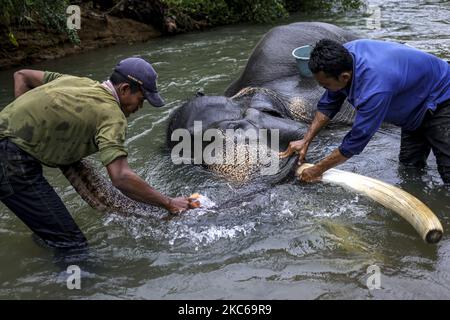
(28,39)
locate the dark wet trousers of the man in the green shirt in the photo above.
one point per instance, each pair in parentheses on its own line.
(25,191)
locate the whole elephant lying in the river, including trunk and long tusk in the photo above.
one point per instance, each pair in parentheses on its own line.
(273,103)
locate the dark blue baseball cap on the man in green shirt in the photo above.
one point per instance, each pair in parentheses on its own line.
(142,72)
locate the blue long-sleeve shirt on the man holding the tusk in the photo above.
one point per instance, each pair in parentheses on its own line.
(391,82)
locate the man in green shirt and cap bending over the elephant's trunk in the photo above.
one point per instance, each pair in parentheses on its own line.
(57,120)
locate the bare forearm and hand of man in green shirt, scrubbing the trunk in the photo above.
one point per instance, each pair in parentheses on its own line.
(130,184)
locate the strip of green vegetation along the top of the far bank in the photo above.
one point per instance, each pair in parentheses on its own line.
(52,14)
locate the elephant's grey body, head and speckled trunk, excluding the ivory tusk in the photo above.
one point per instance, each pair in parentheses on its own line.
(268,95)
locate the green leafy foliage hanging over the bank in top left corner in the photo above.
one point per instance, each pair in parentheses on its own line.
(22,12)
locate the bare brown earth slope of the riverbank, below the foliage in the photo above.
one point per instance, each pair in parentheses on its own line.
(37,42)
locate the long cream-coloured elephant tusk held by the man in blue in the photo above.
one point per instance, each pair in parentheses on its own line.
(406,205)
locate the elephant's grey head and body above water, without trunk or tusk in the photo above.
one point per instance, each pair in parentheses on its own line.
(269,94)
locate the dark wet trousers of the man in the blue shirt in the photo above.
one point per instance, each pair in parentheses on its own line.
(433,134)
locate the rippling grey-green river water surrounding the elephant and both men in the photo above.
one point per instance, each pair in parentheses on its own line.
(294,241)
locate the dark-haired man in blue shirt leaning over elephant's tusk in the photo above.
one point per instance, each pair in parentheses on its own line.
(385,82)
